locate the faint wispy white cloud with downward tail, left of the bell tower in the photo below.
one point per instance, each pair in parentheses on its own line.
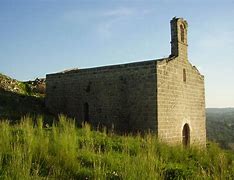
(104,20)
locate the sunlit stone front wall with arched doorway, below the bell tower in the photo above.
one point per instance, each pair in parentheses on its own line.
(181,100)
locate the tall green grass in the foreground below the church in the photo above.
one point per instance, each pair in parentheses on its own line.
(31,150)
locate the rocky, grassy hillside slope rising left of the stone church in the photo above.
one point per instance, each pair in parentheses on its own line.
(18,98)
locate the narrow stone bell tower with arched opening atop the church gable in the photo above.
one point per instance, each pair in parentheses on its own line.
(179,43)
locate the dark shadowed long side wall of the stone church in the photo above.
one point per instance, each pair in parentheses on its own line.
(120,95)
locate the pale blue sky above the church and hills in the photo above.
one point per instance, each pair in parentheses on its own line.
(44,36)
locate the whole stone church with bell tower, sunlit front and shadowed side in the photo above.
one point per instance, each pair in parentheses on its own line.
(165,96)
